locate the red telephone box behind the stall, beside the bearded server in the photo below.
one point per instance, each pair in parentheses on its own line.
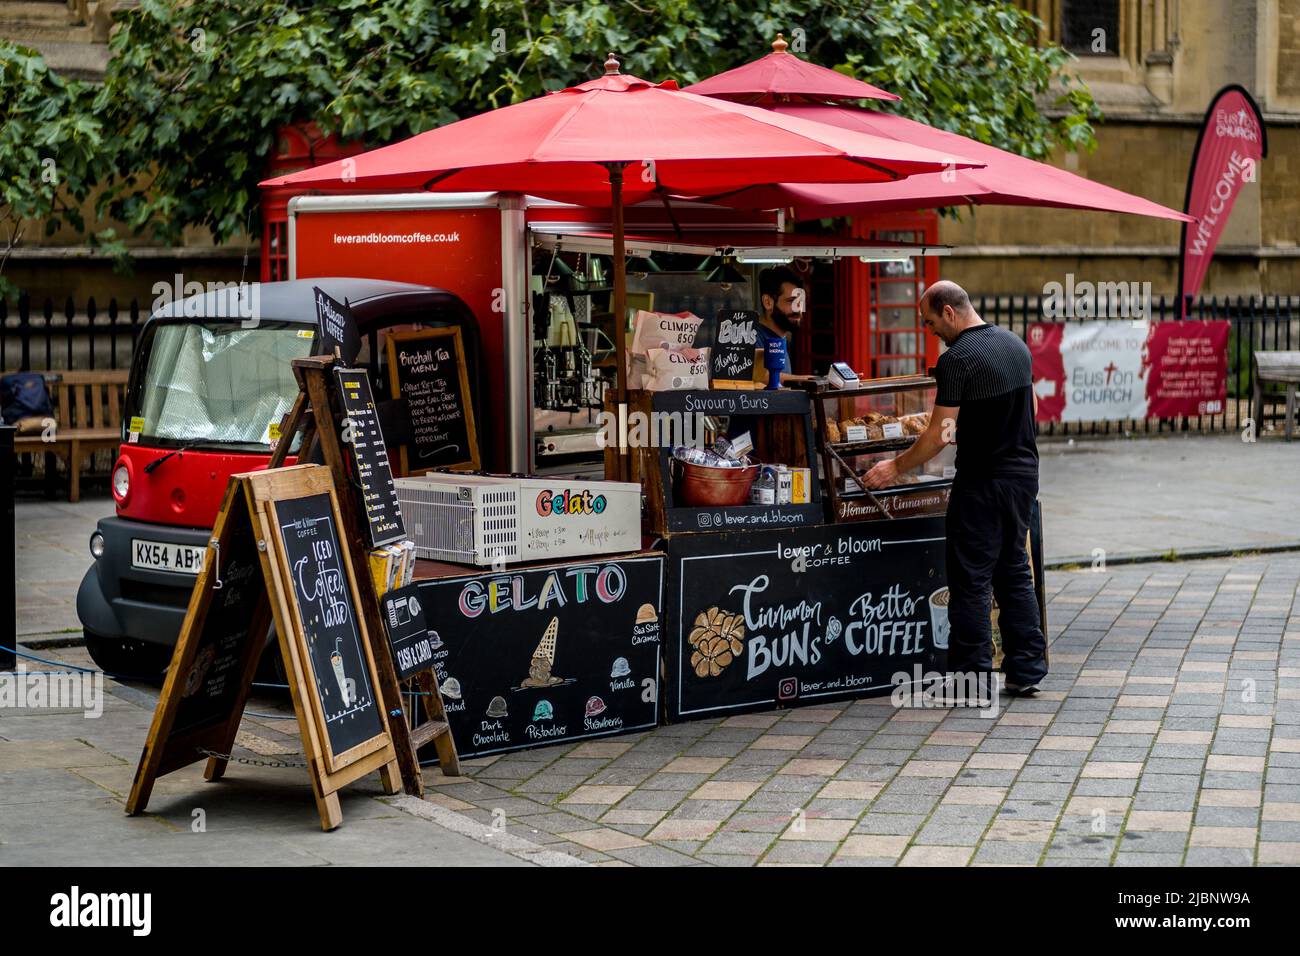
(878,331)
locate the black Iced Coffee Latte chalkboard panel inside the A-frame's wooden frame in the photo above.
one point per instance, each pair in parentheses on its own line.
(328,616)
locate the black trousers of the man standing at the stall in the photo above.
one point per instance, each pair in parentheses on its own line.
(987,524)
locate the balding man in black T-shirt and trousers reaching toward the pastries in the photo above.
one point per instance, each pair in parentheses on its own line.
(986,406)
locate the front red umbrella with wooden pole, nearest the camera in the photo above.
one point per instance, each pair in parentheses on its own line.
(575,145)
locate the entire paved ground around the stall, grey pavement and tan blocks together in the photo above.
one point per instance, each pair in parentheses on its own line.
(1169,730)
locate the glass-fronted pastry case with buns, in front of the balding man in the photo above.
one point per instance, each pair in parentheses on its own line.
(868,423)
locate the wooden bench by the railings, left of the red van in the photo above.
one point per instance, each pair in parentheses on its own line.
(88,418)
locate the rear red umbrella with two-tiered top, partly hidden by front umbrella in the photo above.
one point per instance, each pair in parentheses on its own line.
(1006,179)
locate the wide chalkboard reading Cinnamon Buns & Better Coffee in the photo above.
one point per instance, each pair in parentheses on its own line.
(787,618)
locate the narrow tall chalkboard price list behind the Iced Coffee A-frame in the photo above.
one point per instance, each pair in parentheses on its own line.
(370,455)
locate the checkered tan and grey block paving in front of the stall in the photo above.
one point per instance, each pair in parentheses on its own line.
(1168,733)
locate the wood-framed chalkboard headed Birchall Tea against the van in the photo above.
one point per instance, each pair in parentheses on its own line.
(427,369)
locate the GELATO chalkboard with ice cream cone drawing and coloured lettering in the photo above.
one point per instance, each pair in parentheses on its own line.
(548,655)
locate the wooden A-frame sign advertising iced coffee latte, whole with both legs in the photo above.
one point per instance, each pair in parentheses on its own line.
(278,555)
